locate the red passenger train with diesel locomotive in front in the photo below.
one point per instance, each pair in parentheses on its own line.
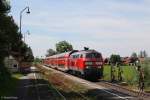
(86,63)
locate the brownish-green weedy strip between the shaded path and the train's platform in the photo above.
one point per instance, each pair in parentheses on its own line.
(68,88)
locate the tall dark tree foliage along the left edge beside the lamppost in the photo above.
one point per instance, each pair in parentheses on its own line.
(10,41)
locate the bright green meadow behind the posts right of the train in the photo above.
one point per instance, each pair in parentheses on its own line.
(130,75)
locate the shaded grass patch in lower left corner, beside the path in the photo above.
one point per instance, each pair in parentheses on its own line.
(8,87)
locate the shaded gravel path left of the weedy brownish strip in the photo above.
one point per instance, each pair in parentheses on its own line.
(34,87)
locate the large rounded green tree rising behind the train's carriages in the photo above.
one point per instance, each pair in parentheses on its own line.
(63,46)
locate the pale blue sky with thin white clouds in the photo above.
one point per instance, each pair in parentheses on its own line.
(109,26)
